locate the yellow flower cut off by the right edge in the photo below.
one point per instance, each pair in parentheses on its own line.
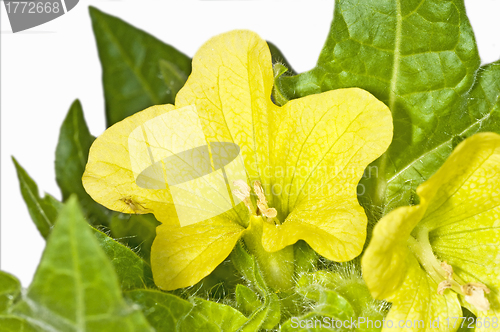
(431,258)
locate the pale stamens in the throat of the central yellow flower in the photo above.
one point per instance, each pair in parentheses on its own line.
(244,191)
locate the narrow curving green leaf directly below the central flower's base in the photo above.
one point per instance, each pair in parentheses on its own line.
(268,314)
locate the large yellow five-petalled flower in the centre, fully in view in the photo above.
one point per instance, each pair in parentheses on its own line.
(303,162)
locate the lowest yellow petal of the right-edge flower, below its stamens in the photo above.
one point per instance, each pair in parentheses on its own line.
(417,306)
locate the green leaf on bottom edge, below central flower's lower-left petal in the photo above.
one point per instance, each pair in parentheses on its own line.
(167,312)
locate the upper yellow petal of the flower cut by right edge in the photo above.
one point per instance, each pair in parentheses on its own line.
(465,192)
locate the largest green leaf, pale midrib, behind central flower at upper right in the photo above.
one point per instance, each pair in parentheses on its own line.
(418,57)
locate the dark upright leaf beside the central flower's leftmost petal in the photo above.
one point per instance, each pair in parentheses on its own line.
(71,157)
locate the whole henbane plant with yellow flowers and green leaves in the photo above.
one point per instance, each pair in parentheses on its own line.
(366,189)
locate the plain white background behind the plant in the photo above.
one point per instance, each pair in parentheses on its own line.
(45,68)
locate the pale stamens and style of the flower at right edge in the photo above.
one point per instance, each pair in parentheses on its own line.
(442,273)
